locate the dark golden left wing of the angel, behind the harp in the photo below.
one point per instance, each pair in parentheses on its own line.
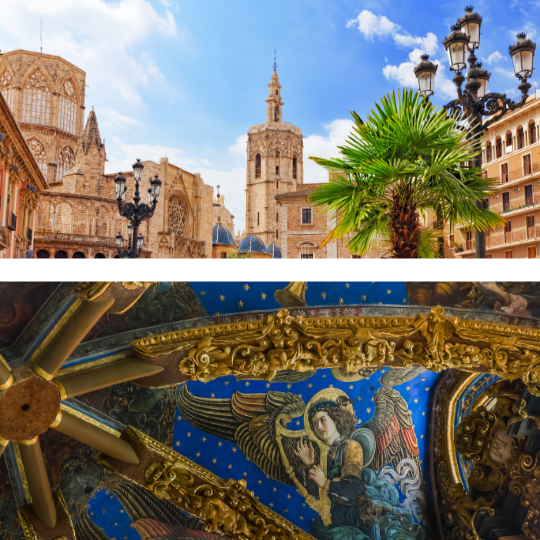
(248,420)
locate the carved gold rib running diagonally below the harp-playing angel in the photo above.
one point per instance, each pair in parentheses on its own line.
(226,507)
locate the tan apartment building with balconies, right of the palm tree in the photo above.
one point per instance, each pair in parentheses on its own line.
(511,153)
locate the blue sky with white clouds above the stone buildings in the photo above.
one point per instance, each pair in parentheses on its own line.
(187,78)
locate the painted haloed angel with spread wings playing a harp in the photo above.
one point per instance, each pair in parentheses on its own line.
(333,463)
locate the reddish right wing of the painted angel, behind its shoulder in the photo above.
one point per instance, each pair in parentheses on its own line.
(392,426)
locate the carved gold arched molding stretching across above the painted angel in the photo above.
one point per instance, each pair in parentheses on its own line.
(282,342)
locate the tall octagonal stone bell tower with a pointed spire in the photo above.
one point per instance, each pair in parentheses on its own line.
(274,166)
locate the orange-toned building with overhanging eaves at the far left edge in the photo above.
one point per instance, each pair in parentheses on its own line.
(21,181)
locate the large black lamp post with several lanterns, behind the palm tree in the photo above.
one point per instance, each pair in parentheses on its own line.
(474,100)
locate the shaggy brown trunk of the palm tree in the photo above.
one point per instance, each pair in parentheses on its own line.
(404,224)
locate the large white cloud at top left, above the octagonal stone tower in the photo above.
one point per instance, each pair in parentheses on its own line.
(103,38)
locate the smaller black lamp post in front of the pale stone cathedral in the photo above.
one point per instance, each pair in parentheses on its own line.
(136,212)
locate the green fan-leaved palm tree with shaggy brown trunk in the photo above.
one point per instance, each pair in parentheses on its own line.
(407,159)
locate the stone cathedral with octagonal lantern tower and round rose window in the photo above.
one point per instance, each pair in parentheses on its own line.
(78,216)
